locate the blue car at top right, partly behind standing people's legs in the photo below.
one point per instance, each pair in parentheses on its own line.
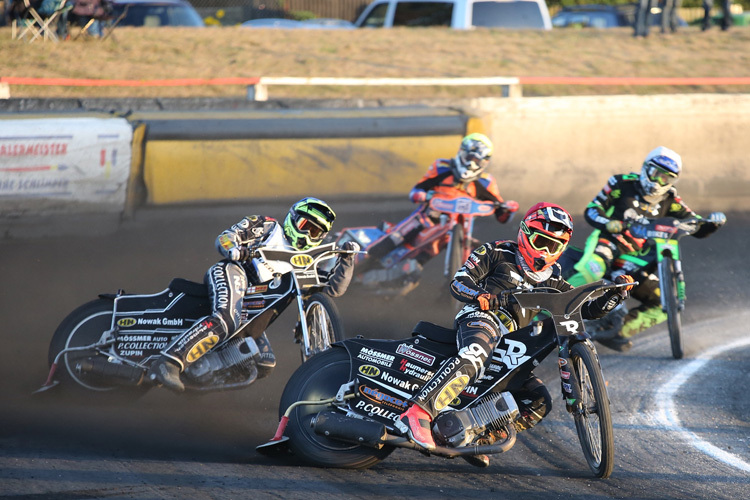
(603,16)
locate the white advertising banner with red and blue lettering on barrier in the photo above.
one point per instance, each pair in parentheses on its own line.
(63,165)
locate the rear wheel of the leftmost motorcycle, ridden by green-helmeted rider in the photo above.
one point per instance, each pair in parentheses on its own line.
(85,326)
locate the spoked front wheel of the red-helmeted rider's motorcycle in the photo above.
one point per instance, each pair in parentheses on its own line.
(593,419)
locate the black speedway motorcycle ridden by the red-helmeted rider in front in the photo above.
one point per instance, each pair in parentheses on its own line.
(339,408)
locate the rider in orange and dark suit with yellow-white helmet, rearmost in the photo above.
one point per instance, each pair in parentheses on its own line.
(466,171)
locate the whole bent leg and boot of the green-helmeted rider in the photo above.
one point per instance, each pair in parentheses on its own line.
(227,283)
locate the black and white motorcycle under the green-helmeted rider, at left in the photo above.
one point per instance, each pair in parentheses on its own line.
(109,343)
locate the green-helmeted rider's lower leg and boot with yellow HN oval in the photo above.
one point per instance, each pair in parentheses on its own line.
(203,336)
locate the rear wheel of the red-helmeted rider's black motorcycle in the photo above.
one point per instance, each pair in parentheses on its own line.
(320,378)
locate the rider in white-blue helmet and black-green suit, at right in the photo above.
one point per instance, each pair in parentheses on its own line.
(650,194)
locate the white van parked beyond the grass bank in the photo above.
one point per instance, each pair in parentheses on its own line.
(458,14)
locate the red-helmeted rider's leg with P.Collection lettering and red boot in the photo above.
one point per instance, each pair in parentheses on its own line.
(477,337)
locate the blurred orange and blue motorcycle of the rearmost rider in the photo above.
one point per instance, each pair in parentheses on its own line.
(398,272)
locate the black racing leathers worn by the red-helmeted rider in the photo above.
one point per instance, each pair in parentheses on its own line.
(493,268)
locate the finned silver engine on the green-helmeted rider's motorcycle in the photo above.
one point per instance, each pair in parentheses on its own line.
(234,362)
